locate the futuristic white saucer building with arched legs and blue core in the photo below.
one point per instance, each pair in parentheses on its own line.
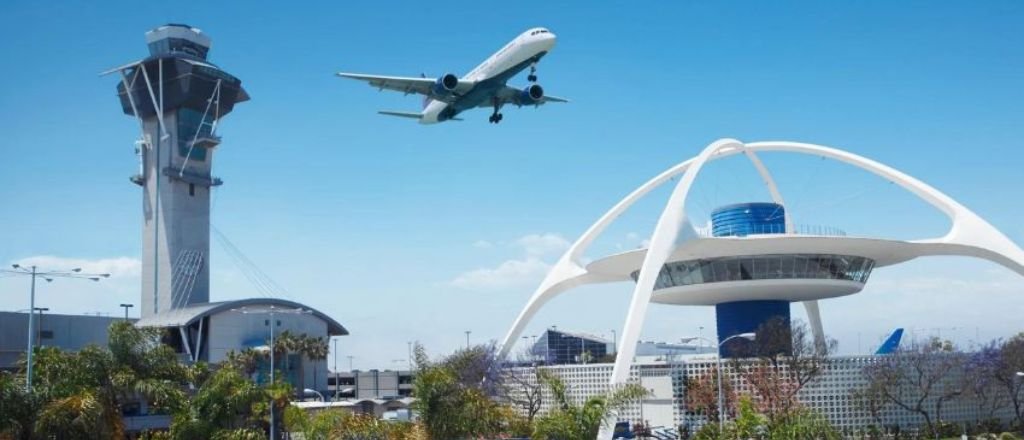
(751,265)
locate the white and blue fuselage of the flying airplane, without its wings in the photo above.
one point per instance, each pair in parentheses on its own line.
(492,75)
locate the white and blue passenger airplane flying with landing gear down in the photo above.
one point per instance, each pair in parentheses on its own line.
(485,86)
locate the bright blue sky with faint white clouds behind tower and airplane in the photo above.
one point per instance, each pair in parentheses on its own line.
(408,233)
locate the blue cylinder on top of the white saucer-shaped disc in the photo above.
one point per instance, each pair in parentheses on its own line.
(746,219)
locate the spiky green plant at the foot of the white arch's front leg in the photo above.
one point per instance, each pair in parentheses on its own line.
(569,421)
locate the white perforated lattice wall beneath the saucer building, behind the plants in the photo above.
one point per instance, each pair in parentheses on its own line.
(831,394)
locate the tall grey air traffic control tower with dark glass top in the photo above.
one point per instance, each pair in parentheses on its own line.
(179,98)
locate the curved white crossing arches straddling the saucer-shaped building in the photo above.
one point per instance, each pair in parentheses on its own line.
(969,236)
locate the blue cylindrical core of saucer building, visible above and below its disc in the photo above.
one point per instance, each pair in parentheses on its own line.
(743,317)
